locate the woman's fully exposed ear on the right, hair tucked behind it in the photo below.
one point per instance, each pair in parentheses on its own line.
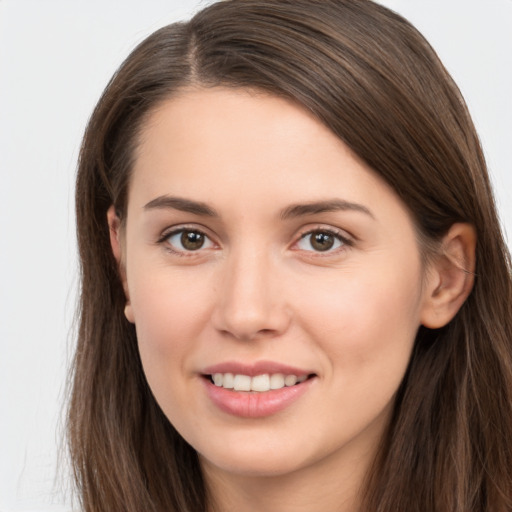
(450,277)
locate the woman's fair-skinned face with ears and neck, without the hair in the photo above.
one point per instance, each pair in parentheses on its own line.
(228,268)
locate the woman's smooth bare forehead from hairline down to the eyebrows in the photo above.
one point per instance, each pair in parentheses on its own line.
(239,149)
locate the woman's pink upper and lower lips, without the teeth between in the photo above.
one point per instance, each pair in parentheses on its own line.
(255,404)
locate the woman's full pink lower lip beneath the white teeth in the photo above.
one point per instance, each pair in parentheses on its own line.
(255,404)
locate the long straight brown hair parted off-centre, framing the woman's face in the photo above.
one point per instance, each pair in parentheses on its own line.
(377,84)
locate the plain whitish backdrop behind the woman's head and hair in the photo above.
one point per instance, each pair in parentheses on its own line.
(56,56)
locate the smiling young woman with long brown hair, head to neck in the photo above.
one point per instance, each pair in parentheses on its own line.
(295,292)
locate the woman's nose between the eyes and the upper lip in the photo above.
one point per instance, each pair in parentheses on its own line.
(251,302)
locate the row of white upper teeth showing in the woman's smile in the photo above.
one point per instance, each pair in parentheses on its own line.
(259,383)
